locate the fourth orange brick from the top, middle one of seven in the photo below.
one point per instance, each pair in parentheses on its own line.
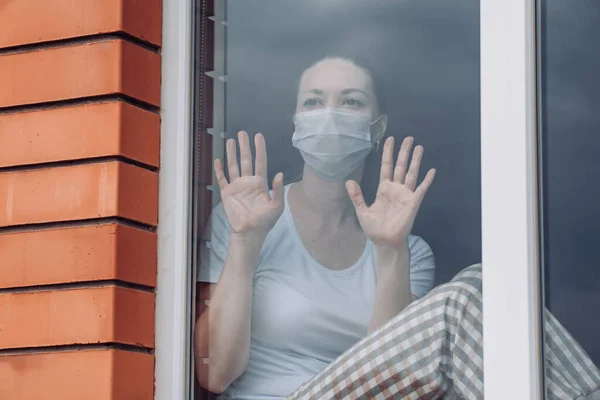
(78,192)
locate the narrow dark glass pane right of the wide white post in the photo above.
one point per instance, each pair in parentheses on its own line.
(570,144)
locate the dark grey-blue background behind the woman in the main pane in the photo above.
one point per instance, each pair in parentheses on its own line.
(426,56)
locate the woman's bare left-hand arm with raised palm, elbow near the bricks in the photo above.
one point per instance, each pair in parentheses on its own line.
(222,335)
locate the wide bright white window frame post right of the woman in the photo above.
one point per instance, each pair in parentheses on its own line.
(510,262)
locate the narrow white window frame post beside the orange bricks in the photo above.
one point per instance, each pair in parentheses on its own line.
(174,275)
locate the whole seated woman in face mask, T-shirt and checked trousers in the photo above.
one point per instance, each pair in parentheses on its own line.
(298,276)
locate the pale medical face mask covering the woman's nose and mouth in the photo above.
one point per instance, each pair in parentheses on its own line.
(333,142)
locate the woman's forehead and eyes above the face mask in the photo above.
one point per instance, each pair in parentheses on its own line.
(336,84)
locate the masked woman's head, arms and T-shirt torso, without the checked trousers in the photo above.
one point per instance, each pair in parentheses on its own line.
(319,267)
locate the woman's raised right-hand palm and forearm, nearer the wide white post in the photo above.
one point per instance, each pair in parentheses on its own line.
(388,223)
